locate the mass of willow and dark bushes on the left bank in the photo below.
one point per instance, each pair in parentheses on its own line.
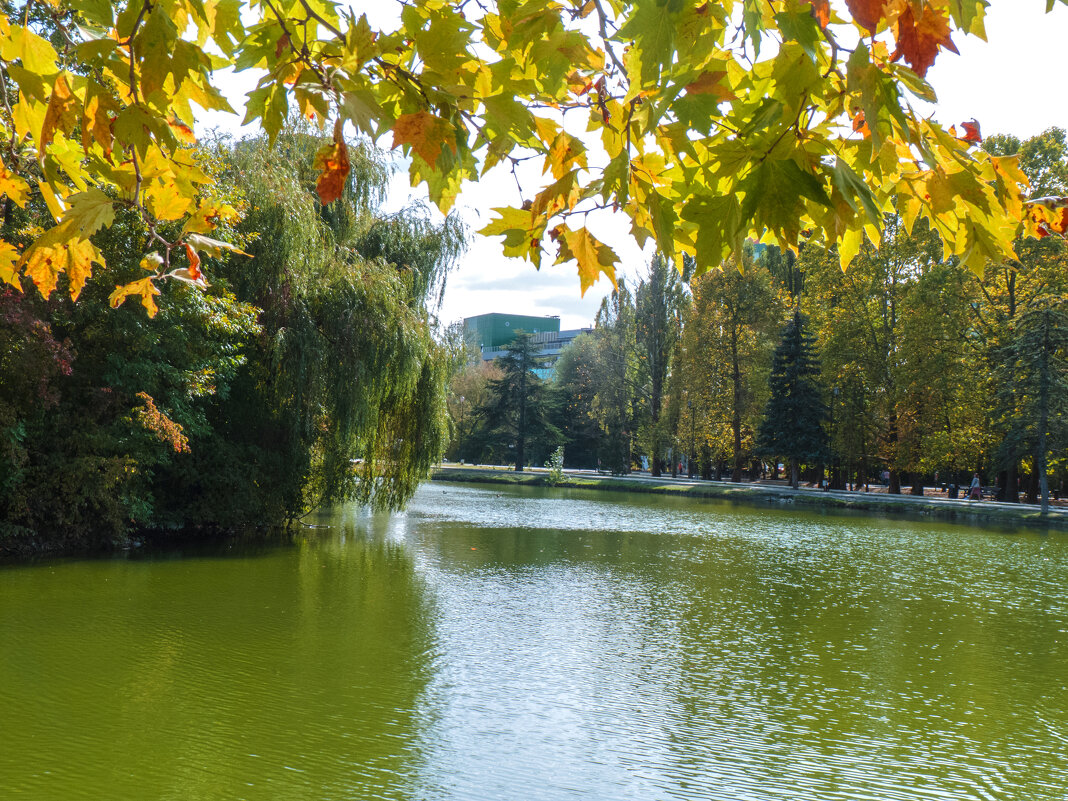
(306,373)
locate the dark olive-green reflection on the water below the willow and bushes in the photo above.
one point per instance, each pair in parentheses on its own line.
(287,676)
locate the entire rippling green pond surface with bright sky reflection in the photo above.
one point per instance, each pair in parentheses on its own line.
(537,645)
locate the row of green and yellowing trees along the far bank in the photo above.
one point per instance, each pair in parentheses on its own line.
(906,369)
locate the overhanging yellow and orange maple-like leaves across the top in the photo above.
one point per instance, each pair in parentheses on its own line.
(704,123)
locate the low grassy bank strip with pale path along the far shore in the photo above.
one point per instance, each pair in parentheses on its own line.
(761,495)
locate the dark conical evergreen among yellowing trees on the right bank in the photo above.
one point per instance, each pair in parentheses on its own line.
(794,418)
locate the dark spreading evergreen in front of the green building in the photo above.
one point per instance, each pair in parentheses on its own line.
(517,406)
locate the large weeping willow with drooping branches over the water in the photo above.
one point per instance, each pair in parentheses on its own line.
(344,397)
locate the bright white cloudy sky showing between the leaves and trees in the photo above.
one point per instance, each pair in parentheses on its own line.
(1012,84)
